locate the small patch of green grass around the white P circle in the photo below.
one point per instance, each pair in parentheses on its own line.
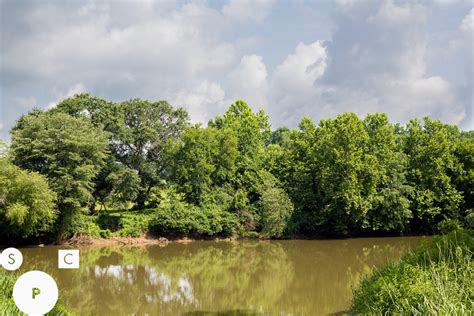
(8,307)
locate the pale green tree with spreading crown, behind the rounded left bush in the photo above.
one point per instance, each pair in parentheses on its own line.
(69,151)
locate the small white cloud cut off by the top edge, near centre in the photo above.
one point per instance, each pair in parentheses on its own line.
(243,10)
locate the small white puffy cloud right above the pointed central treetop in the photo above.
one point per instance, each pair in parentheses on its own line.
(248,81)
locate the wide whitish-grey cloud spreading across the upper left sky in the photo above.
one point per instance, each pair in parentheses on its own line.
(93,45)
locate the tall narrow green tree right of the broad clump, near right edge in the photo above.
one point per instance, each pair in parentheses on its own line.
(430,147)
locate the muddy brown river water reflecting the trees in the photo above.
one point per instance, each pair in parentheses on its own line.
(209,278)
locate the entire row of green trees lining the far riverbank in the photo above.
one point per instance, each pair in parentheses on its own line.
(235,176)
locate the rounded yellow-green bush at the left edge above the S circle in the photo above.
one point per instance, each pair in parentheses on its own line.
(27,205)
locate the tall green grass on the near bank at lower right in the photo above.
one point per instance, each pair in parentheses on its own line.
(436,279)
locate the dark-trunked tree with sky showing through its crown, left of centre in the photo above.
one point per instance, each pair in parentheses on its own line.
(139,138)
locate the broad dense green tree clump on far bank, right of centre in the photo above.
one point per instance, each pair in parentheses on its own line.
(345,174)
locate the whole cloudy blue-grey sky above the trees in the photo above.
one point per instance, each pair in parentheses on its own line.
(297,58)
